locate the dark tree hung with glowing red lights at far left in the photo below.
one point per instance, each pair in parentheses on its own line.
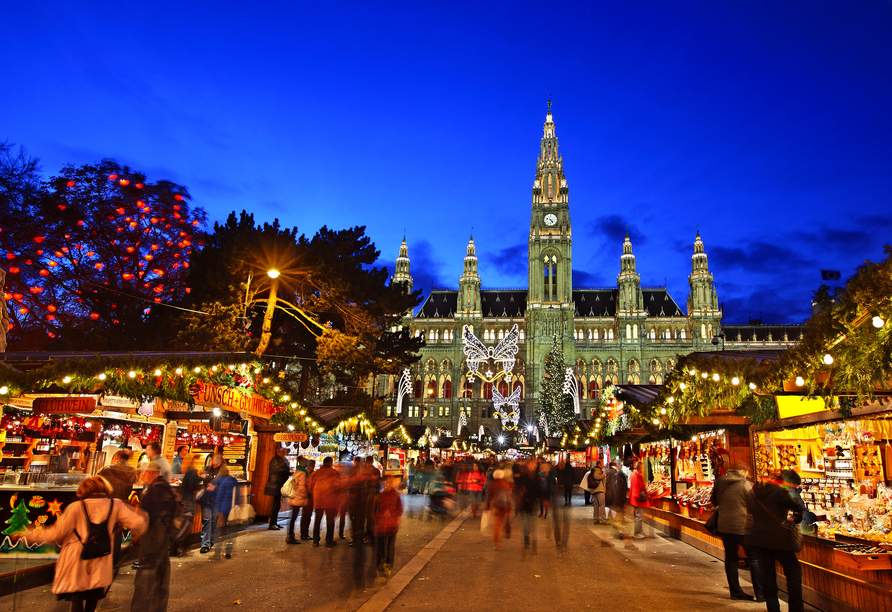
(127,236)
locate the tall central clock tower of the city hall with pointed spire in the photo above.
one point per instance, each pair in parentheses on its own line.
(549,301)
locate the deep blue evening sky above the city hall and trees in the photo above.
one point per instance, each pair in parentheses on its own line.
(767,124)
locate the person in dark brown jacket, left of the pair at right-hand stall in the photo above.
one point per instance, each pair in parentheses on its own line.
(729,494)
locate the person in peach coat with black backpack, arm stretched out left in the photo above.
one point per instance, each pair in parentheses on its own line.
(84,569)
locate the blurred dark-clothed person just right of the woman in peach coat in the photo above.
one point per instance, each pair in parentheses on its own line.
(151,589)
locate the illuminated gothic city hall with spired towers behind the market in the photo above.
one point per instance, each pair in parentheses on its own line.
(628,334)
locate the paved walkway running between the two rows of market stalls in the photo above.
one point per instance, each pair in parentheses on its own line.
(442,566)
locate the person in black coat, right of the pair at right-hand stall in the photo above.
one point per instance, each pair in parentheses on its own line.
(768,506)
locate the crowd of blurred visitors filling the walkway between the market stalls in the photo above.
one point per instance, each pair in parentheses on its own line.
(500,492)
